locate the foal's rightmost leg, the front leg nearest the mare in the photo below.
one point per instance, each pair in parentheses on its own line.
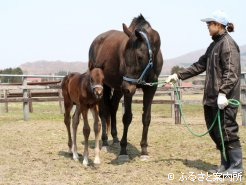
(97,130)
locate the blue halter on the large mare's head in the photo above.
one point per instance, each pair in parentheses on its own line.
(149,66)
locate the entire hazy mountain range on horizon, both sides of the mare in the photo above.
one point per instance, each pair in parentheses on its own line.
(52,67)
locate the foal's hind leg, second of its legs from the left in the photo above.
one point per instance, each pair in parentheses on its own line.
(75,126)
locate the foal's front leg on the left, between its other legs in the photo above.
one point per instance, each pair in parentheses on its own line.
(86,132)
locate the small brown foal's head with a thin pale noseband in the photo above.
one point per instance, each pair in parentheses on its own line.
(96,82)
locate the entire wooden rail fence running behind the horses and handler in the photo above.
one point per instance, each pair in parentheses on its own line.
(27,93)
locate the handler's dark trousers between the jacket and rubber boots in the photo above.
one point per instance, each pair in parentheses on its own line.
(228,124)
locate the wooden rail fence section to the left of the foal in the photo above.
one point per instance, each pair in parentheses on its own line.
(26,95)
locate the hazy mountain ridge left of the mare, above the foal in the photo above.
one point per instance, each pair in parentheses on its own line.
(52,67)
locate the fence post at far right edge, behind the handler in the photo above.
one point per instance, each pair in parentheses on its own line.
(243,99)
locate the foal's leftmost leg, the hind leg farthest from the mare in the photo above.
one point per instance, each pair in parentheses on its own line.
(68,105)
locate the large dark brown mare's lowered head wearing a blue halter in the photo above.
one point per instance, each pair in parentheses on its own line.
(140,53)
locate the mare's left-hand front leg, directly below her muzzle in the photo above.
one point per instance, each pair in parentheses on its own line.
(127,118)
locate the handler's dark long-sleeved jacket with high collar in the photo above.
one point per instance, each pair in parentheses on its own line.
(222,65)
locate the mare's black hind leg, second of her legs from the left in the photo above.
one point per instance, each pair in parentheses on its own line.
(115,100)
